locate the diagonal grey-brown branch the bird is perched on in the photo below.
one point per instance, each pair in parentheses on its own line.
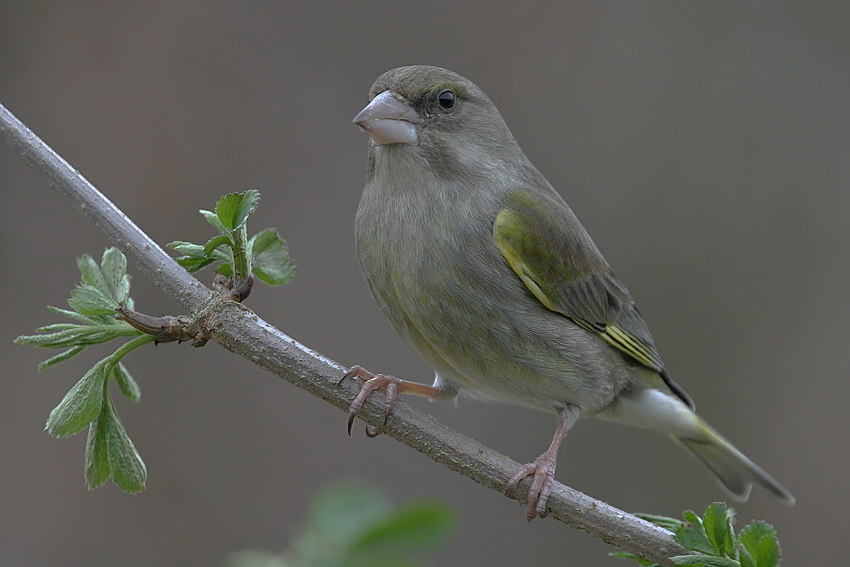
(241,331)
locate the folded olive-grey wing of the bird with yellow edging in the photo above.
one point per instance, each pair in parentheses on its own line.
(553,255)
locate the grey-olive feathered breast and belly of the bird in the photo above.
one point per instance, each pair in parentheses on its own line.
(428,256)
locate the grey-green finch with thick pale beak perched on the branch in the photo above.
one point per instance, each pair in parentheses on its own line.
(482,268)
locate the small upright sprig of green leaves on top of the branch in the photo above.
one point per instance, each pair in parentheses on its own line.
(264,255)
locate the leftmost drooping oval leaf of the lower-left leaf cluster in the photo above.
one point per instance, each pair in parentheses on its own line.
(81,405)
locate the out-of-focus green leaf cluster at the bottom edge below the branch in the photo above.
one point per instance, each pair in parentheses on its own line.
(352,525)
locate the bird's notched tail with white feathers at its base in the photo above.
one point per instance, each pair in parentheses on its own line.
(654,409)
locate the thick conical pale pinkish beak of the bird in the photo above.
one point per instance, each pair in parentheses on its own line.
(389,120)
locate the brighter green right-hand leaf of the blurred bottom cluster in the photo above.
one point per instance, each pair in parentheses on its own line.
(416,527)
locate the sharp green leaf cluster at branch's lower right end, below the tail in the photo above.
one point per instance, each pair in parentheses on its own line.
(714,542)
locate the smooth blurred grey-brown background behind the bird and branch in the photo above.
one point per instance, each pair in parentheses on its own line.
(704,145)
